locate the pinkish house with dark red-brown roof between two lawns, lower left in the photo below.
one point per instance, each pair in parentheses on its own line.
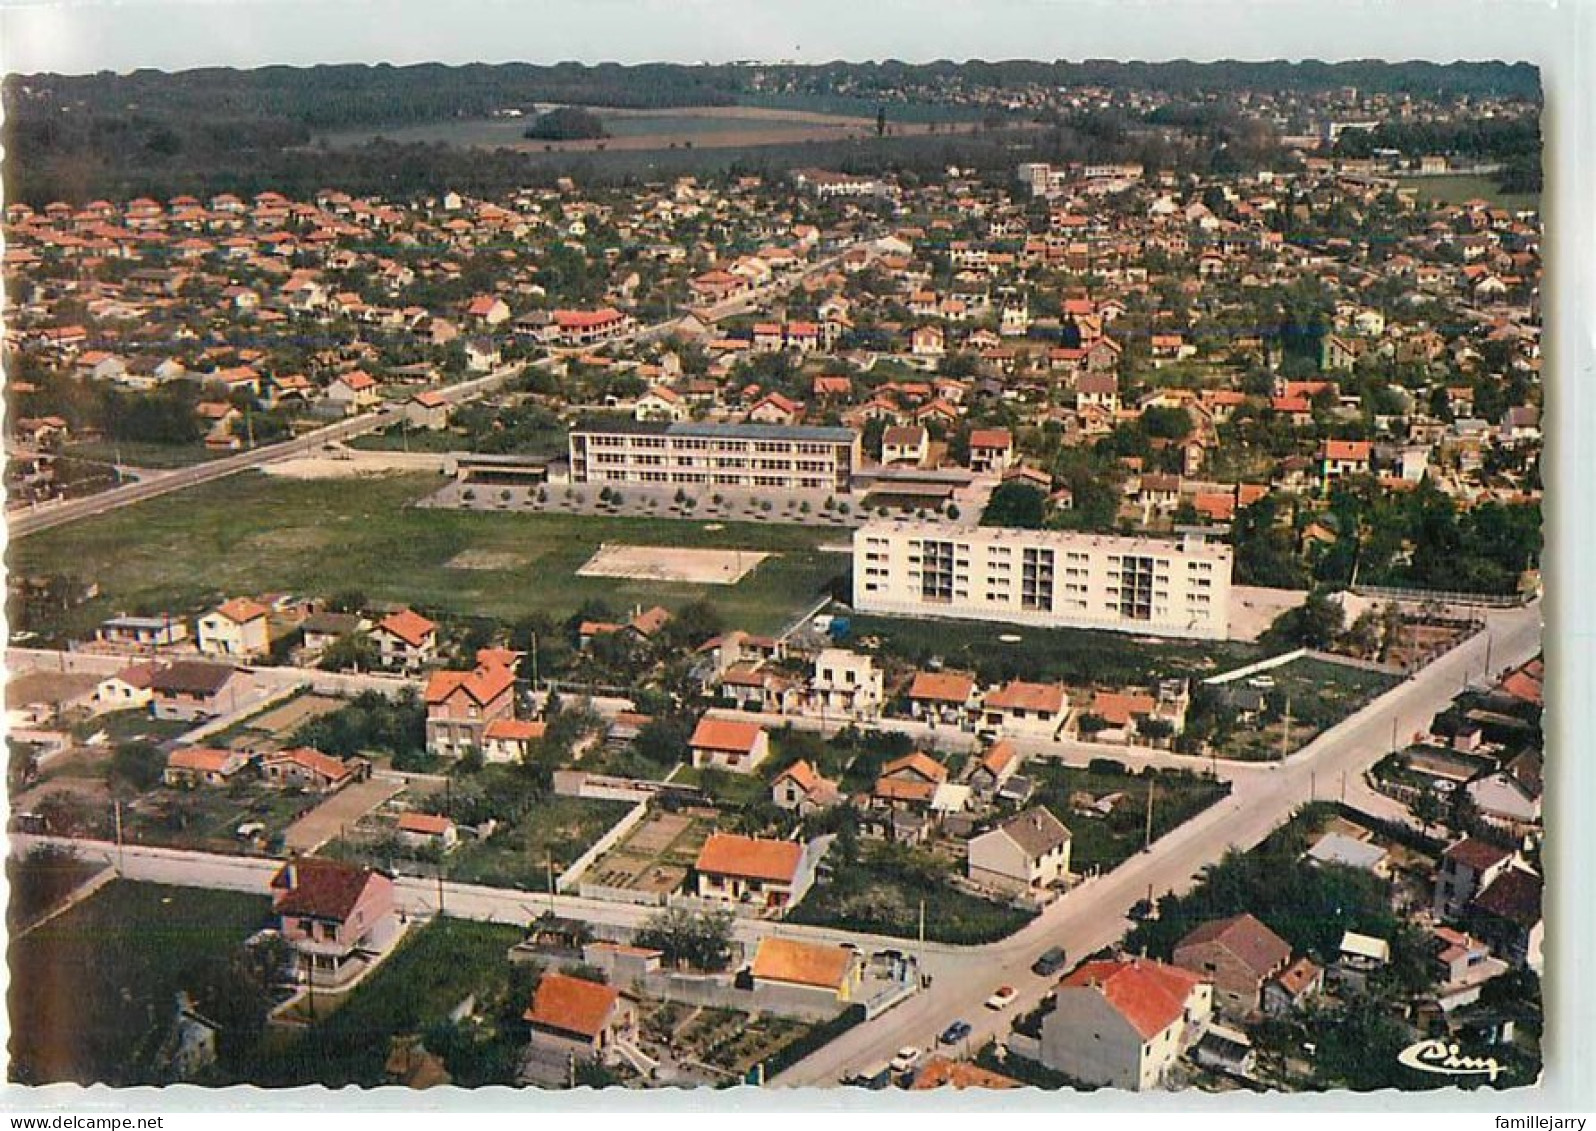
(339,918)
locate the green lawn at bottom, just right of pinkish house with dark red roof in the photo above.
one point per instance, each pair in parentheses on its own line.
(433,971)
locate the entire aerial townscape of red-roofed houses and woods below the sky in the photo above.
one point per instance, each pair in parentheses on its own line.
(887,577)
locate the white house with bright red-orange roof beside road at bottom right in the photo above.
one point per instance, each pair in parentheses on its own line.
(1124,1023)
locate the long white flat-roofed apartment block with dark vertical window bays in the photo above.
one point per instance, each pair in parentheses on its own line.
(1161,588)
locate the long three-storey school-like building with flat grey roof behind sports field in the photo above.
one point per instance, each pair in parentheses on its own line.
(772,457)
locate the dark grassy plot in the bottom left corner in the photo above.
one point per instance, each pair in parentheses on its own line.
(92,991)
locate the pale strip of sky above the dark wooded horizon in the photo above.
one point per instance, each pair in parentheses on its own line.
(87,36)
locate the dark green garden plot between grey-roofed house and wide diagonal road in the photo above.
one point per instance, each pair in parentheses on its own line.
(1104,843)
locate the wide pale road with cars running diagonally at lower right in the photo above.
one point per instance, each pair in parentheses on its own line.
(1094,915)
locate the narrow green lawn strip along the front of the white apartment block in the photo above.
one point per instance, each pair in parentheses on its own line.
(1065,655)
